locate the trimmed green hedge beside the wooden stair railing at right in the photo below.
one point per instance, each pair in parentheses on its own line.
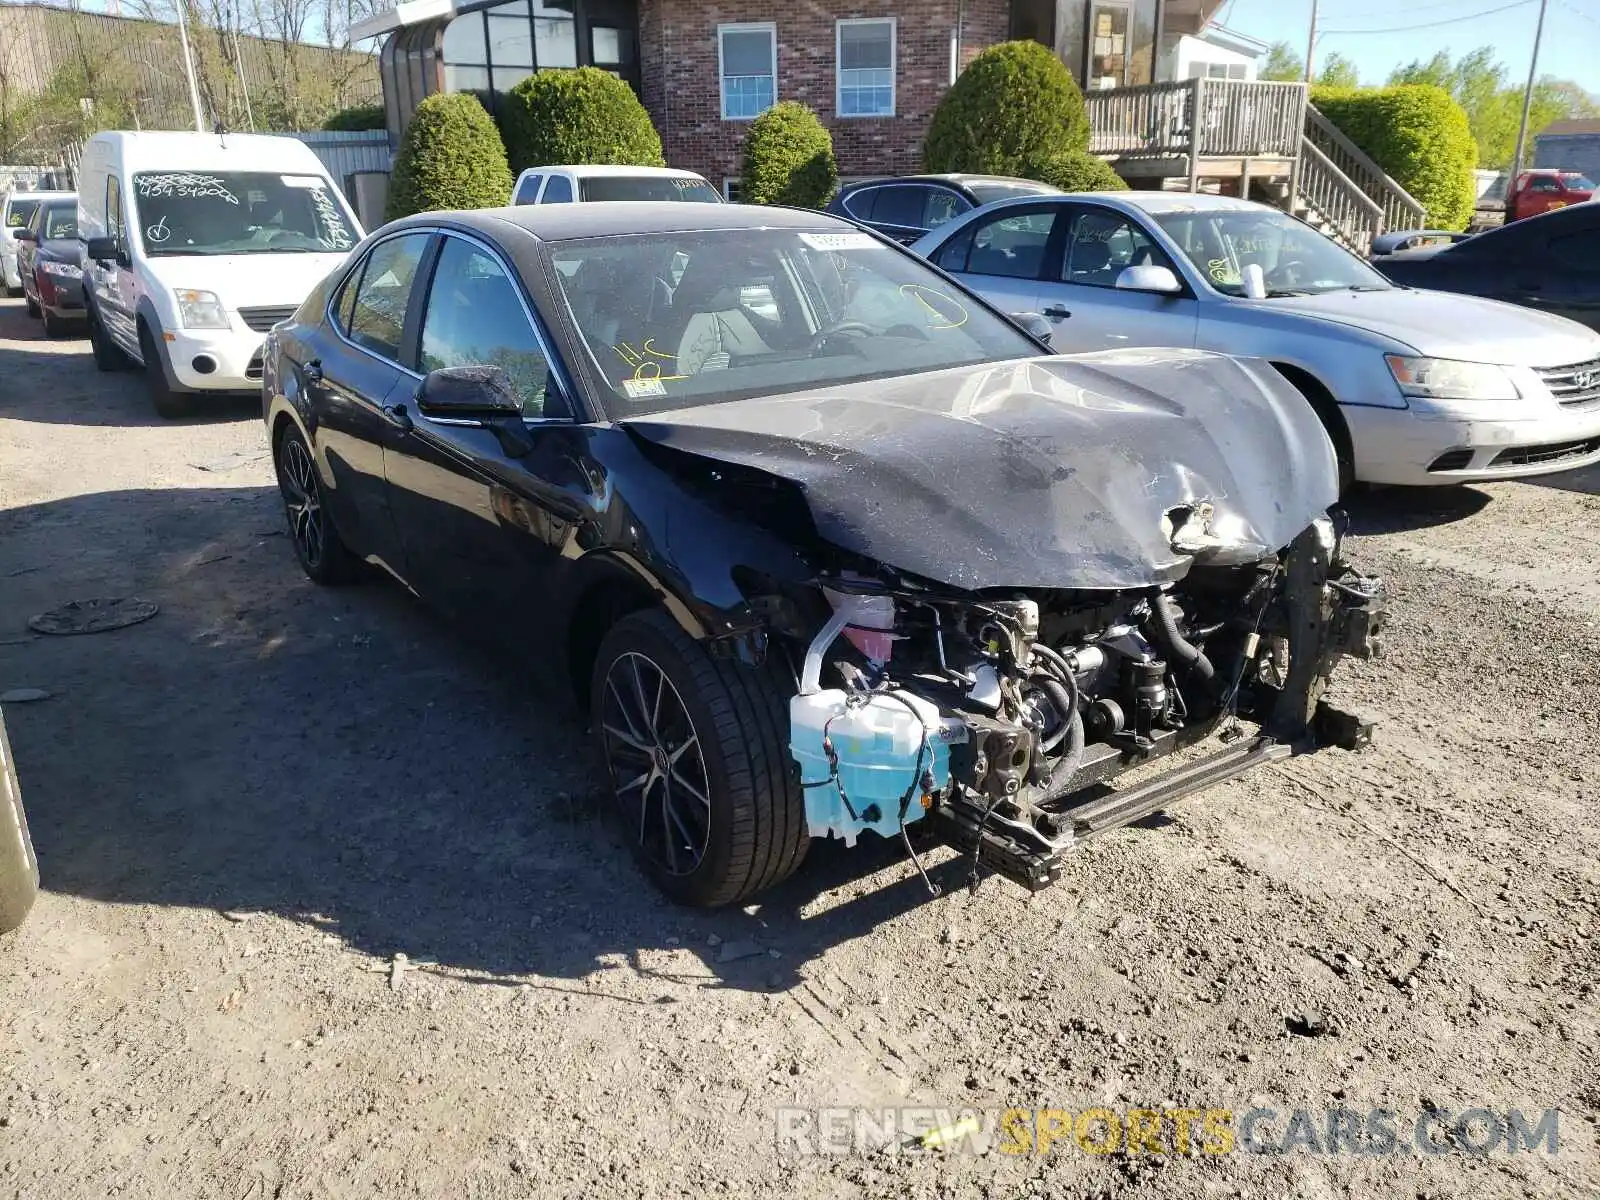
(1420,137)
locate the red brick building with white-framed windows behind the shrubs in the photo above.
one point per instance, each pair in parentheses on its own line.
(873,70)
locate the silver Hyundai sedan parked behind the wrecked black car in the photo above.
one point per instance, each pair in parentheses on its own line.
(1414,386)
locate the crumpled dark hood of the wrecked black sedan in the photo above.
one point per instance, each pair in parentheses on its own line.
(1039,473)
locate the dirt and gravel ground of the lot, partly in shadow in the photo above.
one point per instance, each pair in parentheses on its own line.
(247,807)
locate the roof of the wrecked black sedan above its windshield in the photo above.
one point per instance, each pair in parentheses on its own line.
(609,218)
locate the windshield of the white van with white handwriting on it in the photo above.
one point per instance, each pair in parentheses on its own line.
(241,214)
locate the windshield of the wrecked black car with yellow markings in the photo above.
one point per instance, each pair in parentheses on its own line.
(674,321)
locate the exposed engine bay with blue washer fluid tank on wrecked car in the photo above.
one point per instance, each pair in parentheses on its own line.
(999,718)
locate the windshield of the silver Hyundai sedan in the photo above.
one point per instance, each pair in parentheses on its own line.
(1295,258)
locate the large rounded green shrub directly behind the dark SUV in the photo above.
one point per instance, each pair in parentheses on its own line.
(1015,105)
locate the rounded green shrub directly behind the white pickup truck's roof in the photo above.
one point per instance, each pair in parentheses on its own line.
(585,116)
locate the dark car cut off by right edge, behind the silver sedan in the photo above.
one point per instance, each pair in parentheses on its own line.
(1550,263)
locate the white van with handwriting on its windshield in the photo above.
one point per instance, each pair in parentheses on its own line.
(196,246)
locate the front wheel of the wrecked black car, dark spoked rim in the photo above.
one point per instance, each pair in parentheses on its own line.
(713,753)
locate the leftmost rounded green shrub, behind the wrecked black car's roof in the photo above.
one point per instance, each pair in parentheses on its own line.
(450,158)
